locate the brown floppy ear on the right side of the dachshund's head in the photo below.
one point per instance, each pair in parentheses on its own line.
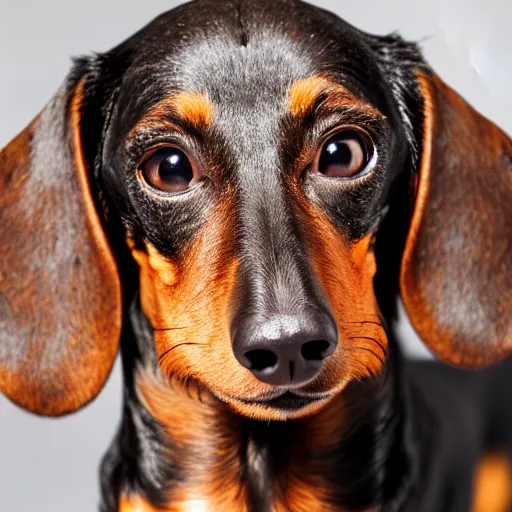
(456,273)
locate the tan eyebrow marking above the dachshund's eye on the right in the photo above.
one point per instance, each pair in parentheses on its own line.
(305,95)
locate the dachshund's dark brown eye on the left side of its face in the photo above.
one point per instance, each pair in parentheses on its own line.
(169,169)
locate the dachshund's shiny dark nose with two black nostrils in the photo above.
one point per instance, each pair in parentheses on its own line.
(285,350)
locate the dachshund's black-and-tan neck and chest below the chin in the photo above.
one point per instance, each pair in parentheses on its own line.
(189,451)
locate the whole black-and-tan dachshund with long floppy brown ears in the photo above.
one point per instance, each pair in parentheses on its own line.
(237,197)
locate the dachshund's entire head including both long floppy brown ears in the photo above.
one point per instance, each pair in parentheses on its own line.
(249,158)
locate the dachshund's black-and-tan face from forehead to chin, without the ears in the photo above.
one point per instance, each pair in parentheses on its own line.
(255,246)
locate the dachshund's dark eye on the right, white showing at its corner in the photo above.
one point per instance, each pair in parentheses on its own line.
(344,155)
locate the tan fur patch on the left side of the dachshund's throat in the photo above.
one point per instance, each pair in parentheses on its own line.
(208,436)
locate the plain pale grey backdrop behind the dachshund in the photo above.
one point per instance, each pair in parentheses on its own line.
(52,465)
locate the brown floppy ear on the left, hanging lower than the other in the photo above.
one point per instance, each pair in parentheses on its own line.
(60,302)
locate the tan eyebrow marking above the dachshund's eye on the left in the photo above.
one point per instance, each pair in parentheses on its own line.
(193,108)
